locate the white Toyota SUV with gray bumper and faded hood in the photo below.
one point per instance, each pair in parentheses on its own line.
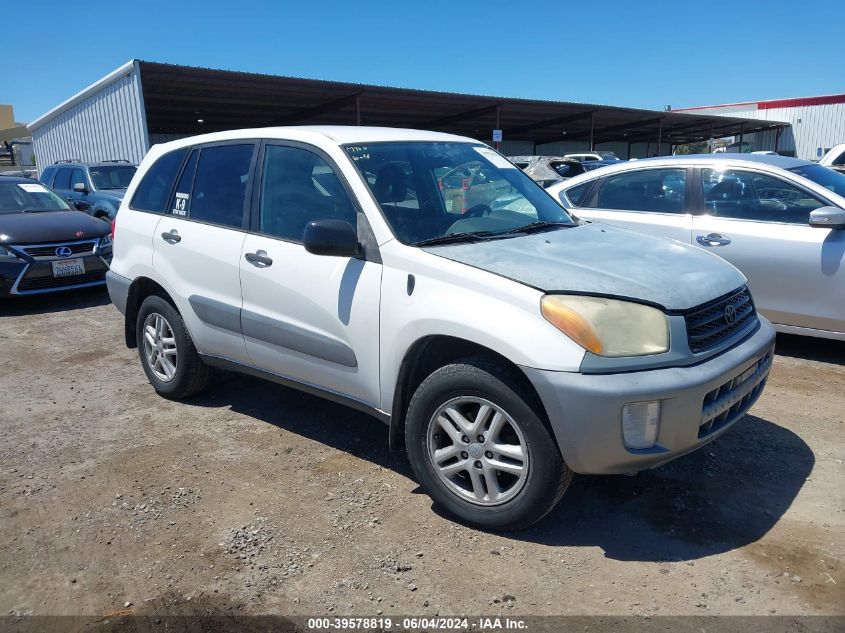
(504,343)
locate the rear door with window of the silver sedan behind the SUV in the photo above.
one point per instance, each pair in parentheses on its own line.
(655,200)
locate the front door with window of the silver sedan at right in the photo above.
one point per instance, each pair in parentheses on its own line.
(760,223)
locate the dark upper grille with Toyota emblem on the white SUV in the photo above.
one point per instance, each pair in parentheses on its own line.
(707,326)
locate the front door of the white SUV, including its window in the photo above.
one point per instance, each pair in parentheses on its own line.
(314,319)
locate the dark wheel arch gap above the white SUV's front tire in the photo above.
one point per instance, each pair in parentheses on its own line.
(428,354)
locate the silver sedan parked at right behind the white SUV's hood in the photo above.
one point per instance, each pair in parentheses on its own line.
(780,220)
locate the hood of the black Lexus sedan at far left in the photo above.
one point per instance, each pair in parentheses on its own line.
(49,226)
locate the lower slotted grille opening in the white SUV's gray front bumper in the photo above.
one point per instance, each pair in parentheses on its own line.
(729,402)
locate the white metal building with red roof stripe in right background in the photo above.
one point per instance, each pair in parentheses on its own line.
(816,124)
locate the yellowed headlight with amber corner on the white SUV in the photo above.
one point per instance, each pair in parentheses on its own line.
(608,327)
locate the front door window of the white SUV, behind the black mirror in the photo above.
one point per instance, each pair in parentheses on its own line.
(298,187)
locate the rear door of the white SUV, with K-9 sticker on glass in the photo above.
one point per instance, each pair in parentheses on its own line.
(197,245)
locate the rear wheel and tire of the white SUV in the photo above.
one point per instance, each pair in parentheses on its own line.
(167,353)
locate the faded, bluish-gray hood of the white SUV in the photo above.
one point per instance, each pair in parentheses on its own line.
(604,260)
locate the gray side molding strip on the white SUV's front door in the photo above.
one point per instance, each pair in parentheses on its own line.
(295,338)
